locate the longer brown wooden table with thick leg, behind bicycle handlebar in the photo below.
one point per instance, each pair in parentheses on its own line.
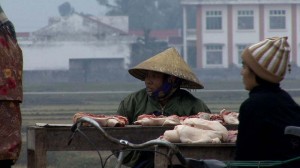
(41,139)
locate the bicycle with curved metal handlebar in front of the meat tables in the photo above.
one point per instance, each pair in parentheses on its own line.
(185,162)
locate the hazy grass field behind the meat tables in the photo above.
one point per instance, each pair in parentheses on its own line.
(41,105)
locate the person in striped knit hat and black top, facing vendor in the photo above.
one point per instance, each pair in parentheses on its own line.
(269,109)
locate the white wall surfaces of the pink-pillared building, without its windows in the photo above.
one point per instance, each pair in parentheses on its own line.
(243,37)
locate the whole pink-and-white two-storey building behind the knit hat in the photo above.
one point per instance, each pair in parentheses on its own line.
(224,28)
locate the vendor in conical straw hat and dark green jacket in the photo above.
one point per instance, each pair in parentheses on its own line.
(164,75)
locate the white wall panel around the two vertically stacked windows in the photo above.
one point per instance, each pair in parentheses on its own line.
(215,36)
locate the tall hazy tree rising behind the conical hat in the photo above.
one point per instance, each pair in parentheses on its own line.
(146,15)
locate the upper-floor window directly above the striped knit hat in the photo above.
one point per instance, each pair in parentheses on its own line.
(277,19)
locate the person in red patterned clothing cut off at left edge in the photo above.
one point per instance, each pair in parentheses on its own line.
(11,93)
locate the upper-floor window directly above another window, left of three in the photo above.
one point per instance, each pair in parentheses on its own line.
(213,20)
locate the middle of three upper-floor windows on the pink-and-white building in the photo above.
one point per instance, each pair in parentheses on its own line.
(245,20)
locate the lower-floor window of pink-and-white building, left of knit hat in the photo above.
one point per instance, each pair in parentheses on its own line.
(214,54)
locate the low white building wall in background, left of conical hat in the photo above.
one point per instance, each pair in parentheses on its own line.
(56,56)
